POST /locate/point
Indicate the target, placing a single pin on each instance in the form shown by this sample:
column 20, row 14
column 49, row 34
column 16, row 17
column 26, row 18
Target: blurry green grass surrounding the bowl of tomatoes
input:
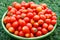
column 52, row 4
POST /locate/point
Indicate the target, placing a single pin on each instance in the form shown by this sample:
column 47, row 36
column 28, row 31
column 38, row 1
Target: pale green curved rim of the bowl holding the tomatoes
column 18, row 37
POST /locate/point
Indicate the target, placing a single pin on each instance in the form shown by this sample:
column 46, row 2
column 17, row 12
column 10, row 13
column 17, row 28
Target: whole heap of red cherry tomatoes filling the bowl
column 29, row 19
